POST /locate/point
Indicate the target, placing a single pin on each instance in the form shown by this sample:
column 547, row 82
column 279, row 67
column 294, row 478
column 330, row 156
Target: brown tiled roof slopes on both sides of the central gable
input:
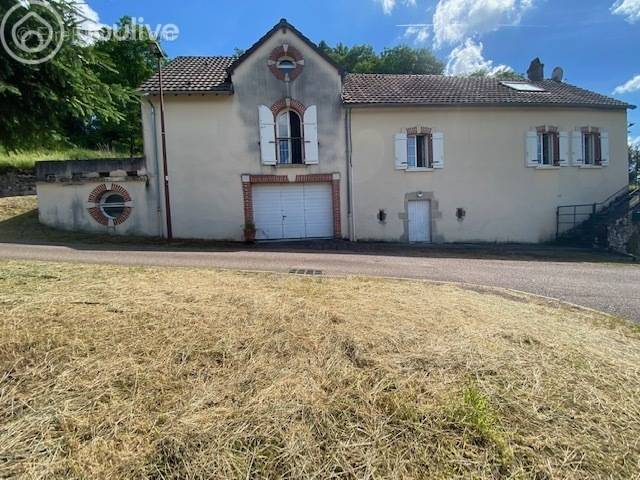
column 210, row 74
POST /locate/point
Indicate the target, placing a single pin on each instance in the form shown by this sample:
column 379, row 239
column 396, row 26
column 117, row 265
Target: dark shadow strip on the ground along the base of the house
column 24, row 228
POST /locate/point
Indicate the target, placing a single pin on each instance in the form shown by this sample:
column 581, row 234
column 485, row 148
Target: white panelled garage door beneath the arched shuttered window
column 293, row 211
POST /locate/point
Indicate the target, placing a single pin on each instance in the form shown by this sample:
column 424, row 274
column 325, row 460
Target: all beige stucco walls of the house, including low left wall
column 214, row 154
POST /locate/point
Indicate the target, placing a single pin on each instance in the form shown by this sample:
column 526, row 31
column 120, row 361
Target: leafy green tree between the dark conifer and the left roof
column 128, row 51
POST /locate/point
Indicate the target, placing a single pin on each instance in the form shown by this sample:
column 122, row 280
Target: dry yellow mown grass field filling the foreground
column 133, row 373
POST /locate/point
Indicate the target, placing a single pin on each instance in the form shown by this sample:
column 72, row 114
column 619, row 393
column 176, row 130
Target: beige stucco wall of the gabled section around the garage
column 213, row 140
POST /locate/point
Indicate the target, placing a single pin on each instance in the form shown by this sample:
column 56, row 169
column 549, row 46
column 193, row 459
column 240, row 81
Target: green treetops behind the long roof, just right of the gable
column 399, row 59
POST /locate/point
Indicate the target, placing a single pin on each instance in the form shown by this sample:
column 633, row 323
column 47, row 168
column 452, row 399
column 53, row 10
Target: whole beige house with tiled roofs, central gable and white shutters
column 282, row 139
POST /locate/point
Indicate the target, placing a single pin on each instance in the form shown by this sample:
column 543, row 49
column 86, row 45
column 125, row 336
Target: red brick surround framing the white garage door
column 248, row 181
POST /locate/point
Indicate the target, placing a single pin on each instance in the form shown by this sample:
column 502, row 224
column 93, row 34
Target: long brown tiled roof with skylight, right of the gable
column 378, row 89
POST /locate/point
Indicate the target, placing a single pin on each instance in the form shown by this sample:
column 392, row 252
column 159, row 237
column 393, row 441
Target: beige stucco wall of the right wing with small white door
column 484, row 172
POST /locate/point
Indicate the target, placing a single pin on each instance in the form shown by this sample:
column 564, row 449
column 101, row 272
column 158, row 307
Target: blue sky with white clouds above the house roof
column 596, row 42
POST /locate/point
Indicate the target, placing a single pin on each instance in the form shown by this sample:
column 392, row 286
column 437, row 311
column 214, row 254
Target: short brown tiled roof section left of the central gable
column 192, row 74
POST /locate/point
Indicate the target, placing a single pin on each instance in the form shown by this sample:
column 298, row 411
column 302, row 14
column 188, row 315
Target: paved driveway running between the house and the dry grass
column 567, row 275
